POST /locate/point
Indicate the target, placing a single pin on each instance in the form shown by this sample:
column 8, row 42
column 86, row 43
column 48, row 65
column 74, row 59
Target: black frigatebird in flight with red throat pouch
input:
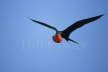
column 60, row 35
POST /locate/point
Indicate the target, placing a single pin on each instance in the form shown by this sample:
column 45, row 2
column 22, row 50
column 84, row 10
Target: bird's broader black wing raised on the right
column 78, row 24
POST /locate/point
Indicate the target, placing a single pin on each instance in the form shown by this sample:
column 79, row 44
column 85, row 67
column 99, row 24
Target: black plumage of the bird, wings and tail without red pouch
column 66, row 33
